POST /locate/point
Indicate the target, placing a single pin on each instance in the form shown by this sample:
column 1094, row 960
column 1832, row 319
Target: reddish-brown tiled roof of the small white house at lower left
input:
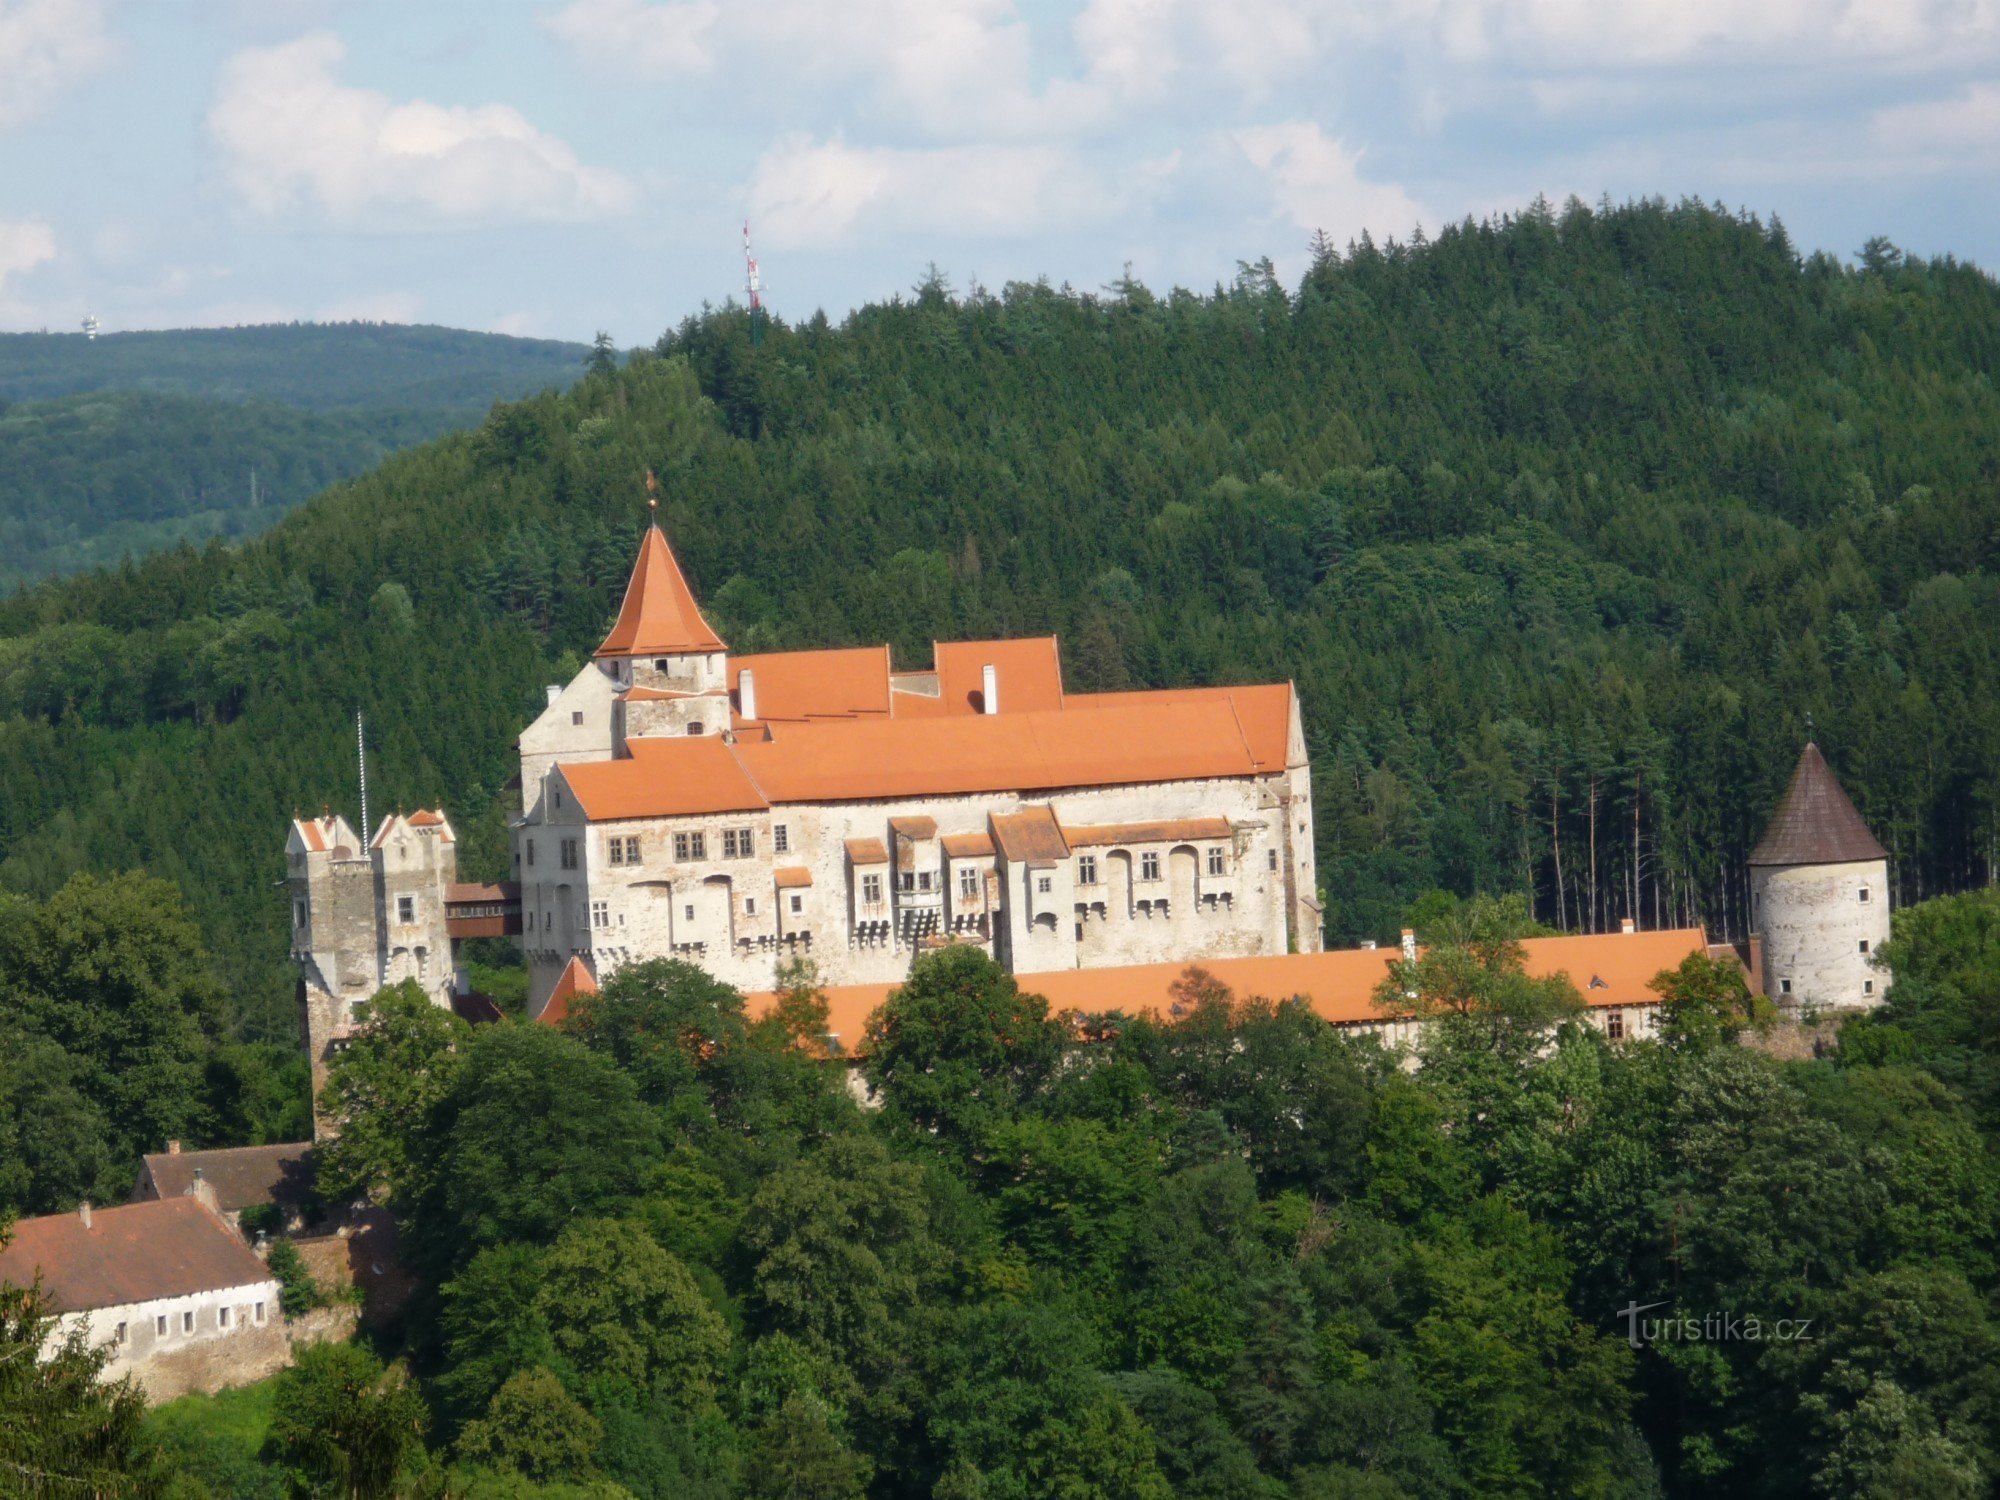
column 139, row 1253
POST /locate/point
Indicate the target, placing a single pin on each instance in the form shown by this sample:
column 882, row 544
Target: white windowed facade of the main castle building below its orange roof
column 729, row 915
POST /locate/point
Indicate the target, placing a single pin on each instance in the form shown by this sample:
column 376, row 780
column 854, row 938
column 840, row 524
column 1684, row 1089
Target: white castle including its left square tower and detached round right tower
column 747, row 813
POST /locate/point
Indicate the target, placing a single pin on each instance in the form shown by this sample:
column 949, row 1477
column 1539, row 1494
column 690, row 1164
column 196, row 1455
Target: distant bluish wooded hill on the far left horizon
column 133, row 443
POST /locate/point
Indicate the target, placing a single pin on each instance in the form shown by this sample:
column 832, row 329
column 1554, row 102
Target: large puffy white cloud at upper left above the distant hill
column 295, row 137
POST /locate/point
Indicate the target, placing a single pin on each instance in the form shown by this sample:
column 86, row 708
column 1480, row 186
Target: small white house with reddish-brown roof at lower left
column 165, row 1287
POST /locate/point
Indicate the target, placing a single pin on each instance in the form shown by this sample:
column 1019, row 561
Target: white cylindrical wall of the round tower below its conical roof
column 1815, row 923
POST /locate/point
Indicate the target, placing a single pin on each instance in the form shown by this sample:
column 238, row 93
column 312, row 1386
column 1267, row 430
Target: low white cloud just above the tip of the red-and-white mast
column 817, row 193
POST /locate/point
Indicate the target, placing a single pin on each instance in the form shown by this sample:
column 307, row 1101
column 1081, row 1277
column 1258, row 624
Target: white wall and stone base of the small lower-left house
column 205, row 1357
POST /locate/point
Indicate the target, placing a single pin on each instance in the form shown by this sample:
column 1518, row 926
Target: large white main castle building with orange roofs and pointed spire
column 749, row 811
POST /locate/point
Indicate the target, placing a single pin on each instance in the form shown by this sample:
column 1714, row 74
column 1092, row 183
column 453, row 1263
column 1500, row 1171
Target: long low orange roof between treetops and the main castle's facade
column 1339, row 987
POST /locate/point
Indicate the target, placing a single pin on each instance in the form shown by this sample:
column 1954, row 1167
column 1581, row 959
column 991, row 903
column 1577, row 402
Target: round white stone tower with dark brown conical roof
column 1819, row 895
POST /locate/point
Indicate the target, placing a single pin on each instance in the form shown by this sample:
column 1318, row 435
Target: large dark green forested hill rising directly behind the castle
column 1565, row 527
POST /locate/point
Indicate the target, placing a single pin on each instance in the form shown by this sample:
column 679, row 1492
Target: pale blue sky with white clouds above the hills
column 567, row 167
